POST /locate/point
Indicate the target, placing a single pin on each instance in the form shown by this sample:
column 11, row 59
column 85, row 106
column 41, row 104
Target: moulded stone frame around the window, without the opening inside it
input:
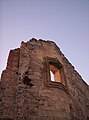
column 48, row 81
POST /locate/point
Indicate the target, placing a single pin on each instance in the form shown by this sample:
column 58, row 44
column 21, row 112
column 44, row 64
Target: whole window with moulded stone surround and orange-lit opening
column 54, row 74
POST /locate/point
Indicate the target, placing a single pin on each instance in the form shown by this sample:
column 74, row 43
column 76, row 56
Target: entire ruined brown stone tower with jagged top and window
column 39, row 83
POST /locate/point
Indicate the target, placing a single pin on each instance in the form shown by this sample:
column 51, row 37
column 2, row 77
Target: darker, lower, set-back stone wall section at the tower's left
column 8, row 85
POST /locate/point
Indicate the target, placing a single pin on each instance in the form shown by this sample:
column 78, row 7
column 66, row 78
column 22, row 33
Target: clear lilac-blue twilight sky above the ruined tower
column 66, row 22
